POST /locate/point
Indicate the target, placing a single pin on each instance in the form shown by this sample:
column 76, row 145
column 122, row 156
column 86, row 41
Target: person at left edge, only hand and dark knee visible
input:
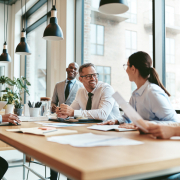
column 12, row 118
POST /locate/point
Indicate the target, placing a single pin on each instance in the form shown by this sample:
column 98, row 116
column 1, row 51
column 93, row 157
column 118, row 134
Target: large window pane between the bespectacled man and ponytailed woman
column 116, row 39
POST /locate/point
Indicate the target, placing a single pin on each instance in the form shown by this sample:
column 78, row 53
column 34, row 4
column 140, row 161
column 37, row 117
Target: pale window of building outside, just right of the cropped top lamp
column 132, row 11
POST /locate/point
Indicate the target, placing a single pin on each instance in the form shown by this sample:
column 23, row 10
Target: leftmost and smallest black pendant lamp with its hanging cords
column 5, row 57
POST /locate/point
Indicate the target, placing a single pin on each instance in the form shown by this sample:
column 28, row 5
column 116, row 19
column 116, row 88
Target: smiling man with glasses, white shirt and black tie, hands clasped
column 94, row 100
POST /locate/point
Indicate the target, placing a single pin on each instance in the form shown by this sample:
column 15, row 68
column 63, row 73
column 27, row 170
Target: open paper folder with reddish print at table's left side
column 41, row 132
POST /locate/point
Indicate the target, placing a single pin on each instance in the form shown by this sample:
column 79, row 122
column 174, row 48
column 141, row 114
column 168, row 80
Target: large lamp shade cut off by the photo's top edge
column 113, row 6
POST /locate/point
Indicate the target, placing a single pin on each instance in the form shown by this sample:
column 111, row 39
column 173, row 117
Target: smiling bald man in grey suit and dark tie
column 65, row 91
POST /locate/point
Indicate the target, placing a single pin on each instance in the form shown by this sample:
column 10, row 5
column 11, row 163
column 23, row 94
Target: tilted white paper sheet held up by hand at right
column 130, row 112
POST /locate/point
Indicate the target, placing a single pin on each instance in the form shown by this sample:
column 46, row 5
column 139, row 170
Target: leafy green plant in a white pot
column 13, row 92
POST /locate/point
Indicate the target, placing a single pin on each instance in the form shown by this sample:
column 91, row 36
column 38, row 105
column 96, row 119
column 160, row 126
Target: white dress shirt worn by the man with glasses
column 103, row 107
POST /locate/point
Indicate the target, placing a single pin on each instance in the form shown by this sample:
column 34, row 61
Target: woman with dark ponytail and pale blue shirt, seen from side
column 150, row 99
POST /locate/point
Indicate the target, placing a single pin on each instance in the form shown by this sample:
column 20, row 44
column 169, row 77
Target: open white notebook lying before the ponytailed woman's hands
column 108, row 128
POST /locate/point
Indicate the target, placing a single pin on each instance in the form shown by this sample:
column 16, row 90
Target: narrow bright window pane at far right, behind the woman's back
column 172, row 51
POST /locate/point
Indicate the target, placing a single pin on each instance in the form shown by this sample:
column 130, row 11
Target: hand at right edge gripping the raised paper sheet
column 161, row 131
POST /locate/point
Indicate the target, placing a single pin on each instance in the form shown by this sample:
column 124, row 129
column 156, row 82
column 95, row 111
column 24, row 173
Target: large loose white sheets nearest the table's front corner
column 91, row 140
